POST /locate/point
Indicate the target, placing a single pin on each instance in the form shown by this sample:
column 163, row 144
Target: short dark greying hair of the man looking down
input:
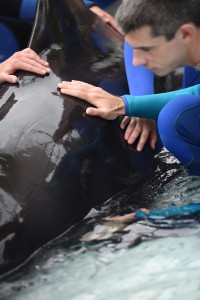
column 163, row 16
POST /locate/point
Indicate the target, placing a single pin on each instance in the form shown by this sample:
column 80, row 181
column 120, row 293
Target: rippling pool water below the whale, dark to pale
column 153, row 257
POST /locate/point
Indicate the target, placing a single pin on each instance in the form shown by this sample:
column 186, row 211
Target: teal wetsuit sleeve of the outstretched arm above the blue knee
column 149, row 106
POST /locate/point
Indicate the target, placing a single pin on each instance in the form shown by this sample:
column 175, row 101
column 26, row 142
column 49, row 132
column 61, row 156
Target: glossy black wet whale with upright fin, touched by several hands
column 55, row 162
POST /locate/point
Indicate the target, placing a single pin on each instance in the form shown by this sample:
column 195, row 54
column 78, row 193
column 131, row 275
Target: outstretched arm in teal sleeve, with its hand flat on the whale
column 110, row 107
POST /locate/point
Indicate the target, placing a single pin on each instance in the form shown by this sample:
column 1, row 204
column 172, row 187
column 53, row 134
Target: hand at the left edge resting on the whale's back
column 26, row 60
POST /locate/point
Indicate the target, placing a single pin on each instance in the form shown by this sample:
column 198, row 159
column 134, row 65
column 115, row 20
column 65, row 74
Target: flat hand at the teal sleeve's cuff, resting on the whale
column 107, row 105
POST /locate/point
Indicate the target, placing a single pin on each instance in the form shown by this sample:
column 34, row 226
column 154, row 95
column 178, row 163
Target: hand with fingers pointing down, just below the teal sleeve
column 143, row 128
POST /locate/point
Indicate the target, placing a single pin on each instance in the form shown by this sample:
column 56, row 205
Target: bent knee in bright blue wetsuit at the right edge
column 179, row 129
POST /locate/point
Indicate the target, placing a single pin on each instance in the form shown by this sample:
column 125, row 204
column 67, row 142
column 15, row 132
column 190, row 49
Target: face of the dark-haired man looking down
column 156, row 53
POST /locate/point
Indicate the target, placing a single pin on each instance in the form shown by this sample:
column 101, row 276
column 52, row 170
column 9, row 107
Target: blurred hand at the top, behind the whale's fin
column 106, row 17
